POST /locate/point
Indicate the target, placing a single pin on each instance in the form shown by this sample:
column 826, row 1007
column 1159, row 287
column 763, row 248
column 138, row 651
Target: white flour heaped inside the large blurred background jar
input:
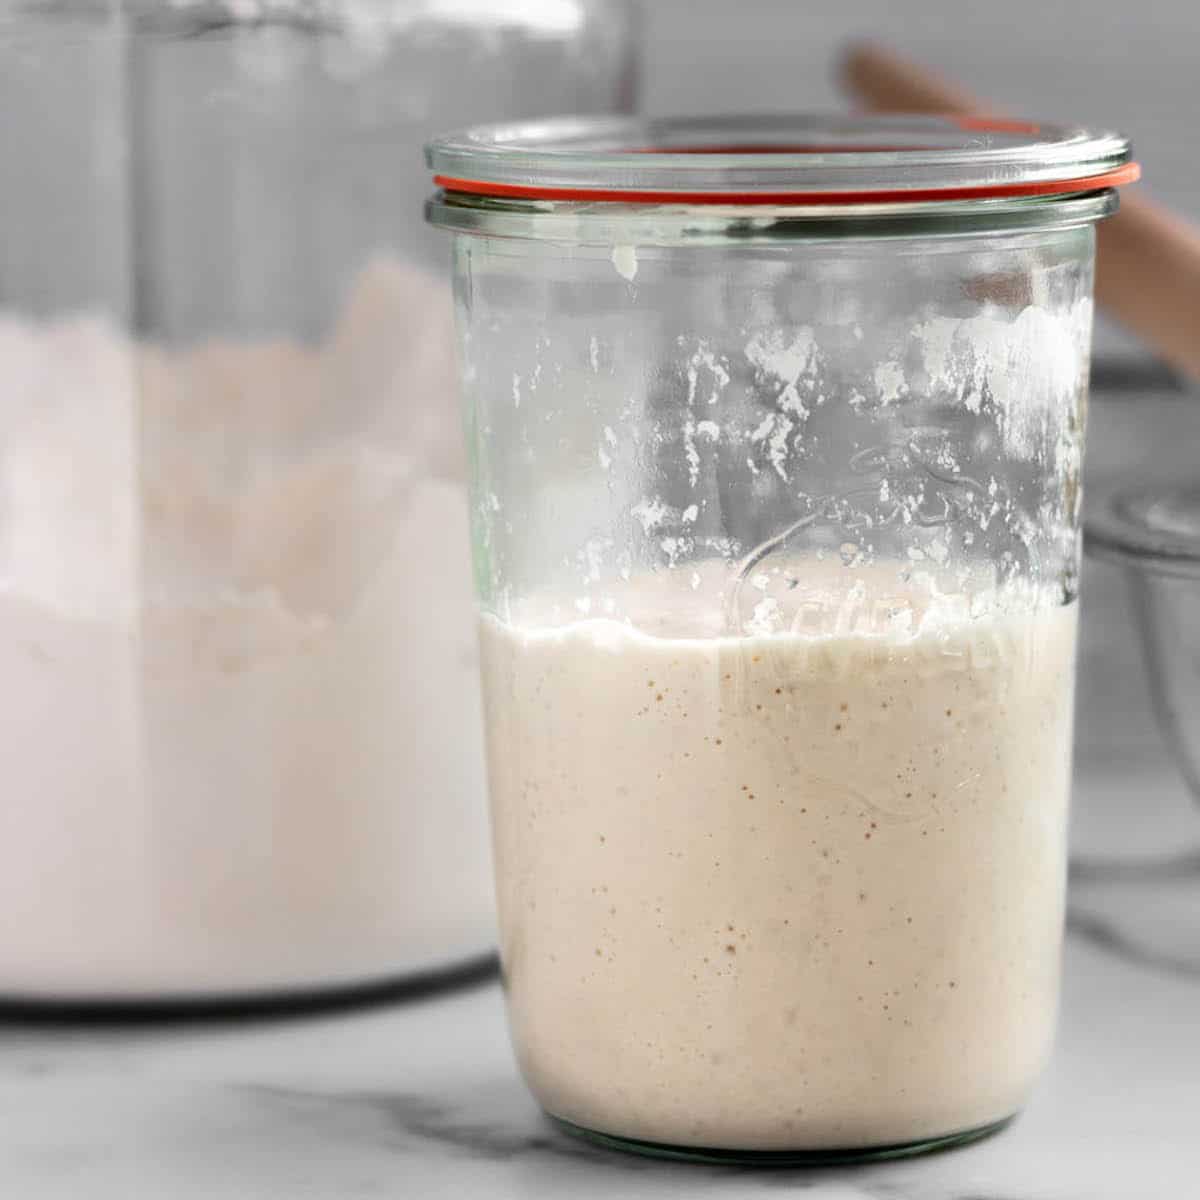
column 242, row 731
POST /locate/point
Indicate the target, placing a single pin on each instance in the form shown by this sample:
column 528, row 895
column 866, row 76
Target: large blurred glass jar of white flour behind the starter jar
column 243, row 740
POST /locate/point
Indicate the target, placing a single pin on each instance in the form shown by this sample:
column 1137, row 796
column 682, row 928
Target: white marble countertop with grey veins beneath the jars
column 421, row 1099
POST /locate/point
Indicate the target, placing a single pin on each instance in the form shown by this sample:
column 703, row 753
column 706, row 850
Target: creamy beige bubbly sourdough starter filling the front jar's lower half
column 781, row 891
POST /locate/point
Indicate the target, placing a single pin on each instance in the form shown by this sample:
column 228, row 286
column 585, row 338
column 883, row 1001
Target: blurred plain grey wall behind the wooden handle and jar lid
column 1133, row 67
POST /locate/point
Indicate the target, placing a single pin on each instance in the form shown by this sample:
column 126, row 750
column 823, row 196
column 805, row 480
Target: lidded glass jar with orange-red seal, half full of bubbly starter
column 775, row 433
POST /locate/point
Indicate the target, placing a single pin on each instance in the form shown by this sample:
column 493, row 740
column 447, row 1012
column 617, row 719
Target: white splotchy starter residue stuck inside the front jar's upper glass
column 776, row 400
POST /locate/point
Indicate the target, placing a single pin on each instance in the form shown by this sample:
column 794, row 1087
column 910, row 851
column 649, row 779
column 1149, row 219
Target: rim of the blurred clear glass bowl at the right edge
column 1154, row 529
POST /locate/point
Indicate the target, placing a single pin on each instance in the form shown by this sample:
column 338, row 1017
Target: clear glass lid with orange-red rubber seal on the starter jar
column 779, row 160
